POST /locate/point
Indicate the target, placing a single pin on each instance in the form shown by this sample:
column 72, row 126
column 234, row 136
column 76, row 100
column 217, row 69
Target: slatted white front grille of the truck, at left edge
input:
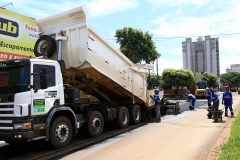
column 6, row 115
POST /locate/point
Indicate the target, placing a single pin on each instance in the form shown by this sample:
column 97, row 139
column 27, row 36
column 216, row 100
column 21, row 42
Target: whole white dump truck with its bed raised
column 39, row 97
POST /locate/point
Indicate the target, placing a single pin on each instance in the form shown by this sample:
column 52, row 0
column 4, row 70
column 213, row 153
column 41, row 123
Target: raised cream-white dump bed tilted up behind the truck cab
column 92, row 63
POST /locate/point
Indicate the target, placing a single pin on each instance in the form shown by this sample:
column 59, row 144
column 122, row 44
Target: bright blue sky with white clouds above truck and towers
column 169, row 21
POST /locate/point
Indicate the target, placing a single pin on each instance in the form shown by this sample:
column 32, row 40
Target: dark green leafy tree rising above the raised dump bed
column 136, row 45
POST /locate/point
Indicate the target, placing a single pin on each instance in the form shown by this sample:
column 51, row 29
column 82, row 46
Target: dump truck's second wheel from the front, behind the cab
column 95, row 123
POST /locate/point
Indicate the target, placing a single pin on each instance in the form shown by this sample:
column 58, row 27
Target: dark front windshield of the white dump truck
column 14, row 79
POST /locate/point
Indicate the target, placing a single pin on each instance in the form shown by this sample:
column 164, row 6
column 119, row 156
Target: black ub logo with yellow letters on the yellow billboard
column 8, row 27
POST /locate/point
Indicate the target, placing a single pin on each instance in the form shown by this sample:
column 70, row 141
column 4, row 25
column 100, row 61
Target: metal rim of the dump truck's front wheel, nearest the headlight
column 62, row 132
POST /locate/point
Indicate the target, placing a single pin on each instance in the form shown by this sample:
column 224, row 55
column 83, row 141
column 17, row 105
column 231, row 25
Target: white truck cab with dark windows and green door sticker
column 31, row 91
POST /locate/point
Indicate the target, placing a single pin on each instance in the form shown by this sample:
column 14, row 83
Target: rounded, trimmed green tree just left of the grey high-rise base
column 177, row 77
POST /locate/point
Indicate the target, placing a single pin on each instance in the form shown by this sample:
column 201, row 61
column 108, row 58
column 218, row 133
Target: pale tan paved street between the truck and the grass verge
column 187, row 136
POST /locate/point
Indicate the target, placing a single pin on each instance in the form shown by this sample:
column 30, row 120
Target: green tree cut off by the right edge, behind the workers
column 231, row 77
